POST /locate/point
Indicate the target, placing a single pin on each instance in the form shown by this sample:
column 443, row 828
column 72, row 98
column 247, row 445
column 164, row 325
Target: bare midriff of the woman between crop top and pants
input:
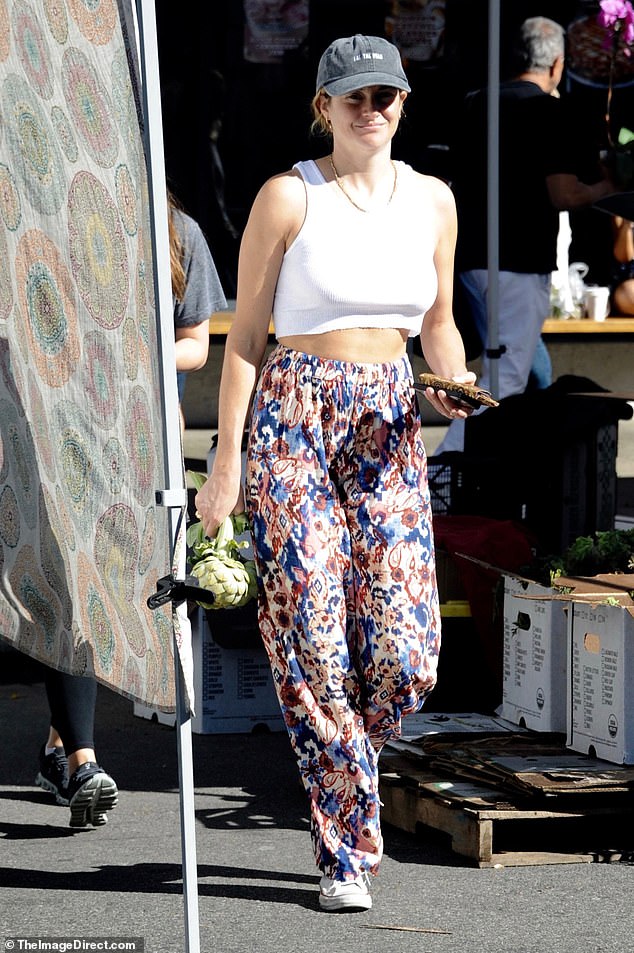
column 357, row 345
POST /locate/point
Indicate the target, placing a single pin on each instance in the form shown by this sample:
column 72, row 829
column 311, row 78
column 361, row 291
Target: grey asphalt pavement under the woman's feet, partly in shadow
column 257, row 883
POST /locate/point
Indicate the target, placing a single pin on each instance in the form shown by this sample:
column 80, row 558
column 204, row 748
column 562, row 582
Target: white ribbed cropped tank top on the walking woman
column 350, row 269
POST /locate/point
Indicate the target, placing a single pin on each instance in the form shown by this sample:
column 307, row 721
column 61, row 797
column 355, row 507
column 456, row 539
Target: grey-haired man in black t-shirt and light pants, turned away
column 536, row 181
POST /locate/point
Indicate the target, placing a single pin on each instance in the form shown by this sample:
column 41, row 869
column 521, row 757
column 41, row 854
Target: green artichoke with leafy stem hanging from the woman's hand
column 218, row 564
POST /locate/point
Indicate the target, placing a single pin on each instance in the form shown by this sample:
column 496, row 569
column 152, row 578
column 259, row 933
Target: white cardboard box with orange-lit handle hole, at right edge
column 601, row 710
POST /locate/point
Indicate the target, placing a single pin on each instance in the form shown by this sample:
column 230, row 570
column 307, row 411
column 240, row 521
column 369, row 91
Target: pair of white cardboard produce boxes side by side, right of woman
column 569, row 661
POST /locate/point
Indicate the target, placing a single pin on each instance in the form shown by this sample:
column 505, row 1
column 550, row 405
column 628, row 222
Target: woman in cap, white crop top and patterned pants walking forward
column 351, row 254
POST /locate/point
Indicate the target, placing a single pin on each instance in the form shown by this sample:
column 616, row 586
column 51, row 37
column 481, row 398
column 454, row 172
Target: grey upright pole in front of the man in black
column 493, row 195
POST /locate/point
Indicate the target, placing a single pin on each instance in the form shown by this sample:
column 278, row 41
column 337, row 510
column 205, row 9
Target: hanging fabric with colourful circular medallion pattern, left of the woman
column 82, row 542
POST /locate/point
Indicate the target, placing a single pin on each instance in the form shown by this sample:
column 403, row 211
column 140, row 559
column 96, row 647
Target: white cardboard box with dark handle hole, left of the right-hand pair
column 535, row 656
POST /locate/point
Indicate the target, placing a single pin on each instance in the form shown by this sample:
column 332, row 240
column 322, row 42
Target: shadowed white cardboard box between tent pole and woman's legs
column 233, row 688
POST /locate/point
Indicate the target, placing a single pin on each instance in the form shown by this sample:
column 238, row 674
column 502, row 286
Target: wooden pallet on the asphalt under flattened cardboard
column 489, row 830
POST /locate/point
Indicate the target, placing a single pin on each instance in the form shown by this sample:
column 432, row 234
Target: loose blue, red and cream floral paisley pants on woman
column 349, row 615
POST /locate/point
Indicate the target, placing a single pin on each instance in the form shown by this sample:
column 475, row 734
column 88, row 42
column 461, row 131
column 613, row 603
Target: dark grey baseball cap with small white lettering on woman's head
column 355, row 61
